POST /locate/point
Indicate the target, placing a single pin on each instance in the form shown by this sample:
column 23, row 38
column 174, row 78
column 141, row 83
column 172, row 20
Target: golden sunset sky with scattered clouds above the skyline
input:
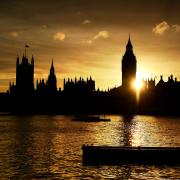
column 88, row 38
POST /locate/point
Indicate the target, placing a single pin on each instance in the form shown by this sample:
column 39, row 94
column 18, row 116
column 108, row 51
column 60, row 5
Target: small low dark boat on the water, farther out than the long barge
column 90, row 119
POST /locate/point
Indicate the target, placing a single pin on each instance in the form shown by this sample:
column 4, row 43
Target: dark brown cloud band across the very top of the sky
column 74, row 11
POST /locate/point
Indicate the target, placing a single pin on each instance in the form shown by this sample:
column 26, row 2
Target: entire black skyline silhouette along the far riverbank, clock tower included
column 80, row 95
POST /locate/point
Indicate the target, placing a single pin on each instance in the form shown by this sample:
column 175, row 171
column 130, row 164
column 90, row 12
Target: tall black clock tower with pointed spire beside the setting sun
column 128, row 66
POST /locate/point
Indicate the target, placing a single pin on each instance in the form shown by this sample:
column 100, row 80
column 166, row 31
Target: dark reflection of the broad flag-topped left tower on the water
column 21, row 143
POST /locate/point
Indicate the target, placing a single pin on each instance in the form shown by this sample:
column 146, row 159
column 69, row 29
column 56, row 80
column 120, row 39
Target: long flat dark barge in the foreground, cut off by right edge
column 130, row 155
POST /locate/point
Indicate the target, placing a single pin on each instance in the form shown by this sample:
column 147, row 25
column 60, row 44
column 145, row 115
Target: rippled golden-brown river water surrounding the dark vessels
column 49, row 147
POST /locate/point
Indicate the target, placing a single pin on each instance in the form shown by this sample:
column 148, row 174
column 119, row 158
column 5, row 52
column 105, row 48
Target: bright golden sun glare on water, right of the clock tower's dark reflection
column 153, row 131
